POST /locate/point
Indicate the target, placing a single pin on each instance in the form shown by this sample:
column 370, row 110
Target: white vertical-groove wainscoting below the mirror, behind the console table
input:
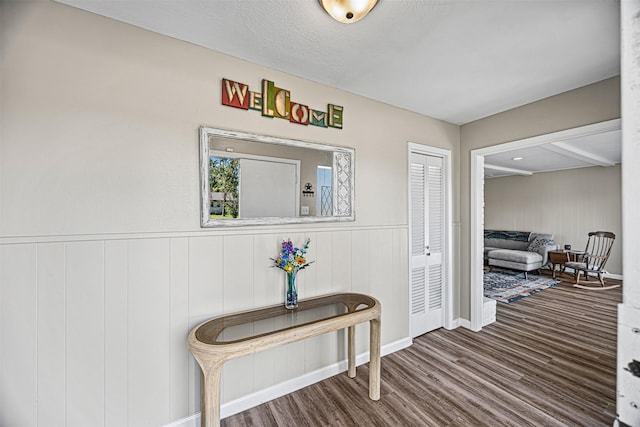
column 94, row 329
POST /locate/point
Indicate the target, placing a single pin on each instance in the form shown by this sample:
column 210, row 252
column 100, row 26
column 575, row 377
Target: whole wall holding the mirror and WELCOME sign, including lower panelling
column 103, row 265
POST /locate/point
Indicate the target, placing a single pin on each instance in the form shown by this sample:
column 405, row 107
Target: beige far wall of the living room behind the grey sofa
column 568, row 204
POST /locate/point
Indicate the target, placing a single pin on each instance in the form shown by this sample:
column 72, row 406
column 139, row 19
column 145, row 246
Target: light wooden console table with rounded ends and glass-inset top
column 225, row 337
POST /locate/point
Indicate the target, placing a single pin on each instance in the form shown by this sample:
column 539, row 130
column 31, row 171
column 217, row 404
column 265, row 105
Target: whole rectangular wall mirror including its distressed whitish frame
column 249, row 179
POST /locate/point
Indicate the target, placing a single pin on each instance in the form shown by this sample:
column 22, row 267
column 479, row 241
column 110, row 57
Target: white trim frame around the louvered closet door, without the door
column 447, row 253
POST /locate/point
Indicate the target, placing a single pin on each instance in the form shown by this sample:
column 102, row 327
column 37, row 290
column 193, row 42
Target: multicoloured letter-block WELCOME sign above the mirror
column 273, row 101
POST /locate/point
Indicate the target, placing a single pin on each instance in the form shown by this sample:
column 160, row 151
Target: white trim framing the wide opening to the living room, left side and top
column 476, row 189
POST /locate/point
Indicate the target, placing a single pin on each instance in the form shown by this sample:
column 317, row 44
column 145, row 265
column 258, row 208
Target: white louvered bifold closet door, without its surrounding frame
column 426, row 223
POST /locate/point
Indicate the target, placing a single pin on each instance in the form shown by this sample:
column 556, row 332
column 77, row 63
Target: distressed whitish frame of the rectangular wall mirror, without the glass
column 343, row 178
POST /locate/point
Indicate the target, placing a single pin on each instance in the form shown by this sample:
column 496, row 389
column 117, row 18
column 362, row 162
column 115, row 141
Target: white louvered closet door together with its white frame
column 430, row 251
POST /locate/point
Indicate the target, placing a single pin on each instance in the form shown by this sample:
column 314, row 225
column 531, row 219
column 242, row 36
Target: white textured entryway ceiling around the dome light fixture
column 455, row 60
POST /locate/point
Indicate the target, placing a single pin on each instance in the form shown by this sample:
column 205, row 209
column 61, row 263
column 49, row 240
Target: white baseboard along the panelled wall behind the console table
column 254, row 399
